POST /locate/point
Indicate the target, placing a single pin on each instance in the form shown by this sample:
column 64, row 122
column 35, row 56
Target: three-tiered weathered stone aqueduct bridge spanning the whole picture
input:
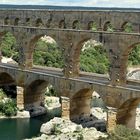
column 115, row 90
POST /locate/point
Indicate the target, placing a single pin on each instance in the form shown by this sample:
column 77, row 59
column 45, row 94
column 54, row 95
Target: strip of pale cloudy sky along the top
column 91, row 3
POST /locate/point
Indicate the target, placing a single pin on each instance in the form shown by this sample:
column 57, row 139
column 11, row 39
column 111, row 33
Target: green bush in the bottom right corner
column 123, row 133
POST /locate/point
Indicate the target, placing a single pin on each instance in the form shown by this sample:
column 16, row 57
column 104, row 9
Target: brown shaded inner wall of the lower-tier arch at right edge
column 126, row 113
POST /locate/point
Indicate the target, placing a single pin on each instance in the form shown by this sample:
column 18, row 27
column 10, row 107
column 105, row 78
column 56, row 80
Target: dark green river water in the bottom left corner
column 19, row 129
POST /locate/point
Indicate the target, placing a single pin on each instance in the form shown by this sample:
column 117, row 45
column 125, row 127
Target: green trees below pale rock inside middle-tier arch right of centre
column 94, row 60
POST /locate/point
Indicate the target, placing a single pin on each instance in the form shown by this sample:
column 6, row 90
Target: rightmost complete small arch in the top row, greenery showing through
column 127, row 27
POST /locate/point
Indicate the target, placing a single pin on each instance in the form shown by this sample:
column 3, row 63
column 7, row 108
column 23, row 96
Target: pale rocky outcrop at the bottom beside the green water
column 62, row 129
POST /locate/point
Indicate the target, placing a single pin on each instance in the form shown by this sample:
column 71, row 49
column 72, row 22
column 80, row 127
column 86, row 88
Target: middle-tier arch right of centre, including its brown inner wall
column 83, row 46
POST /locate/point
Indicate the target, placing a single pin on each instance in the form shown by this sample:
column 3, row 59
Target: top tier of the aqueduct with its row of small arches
column 81, row 20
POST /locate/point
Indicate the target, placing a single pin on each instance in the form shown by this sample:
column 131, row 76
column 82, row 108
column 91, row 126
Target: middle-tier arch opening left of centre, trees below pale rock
column 47, row 53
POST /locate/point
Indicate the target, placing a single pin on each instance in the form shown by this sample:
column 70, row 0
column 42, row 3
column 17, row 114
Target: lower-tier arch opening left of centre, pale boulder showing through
column 41, row 98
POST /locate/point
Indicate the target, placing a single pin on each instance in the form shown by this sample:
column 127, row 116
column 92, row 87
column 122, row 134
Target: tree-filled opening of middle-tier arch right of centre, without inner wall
column 93, row 57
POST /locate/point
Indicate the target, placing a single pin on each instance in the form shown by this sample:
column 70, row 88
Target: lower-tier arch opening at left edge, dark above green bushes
column 8, row 95
